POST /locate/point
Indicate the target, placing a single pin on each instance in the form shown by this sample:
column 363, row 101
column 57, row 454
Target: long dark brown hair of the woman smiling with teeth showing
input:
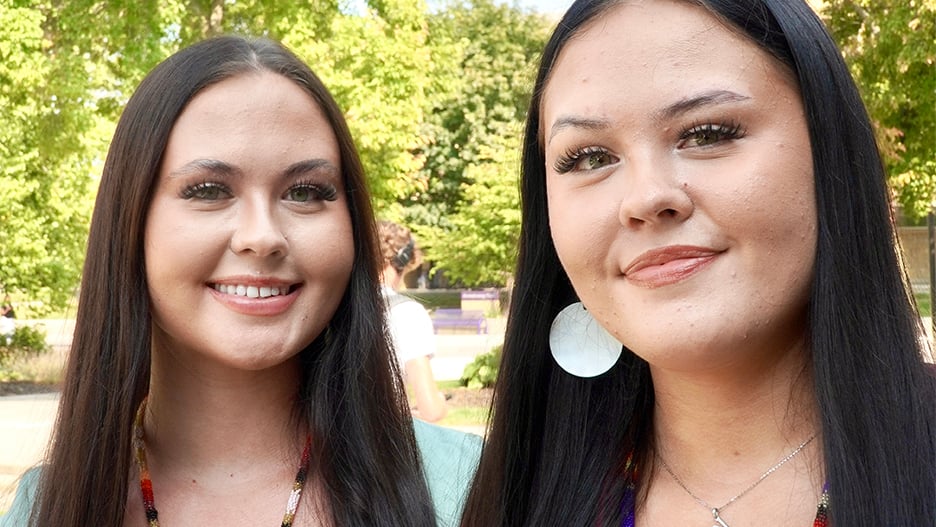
column 351, row 396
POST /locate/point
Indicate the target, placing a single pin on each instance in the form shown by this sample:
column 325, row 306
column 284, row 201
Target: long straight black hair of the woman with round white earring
column 557, row 444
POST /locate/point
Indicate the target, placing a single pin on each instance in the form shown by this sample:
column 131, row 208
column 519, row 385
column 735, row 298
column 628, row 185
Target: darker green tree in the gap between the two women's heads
column 466, row 211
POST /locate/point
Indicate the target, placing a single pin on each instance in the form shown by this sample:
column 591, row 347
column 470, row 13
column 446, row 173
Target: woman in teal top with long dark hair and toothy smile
column 230, row 364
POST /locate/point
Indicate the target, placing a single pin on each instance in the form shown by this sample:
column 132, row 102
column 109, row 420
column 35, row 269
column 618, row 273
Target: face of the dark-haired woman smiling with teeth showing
column 248, row 239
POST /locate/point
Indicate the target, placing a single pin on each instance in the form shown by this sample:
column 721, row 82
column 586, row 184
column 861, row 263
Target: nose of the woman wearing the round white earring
column 652, row 195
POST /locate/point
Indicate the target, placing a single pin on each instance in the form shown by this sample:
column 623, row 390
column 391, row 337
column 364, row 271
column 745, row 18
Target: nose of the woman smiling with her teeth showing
column 258, row 232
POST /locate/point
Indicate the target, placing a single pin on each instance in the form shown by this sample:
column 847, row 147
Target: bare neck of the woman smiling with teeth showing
column 200, row 419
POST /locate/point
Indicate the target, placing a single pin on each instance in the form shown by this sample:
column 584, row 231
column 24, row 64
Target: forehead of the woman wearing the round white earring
column 640, row 52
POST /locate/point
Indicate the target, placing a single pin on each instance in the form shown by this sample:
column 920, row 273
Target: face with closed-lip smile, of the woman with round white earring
column 680, row 186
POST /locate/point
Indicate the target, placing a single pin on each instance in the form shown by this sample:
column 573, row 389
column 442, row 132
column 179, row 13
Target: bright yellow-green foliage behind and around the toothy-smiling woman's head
column 69, row 67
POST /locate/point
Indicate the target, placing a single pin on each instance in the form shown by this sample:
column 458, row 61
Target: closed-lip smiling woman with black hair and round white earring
column 710, row 323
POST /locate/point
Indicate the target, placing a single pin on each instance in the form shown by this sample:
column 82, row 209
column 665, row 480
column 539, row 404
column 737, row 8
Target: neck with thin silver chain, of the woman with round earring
column 721, row 427
